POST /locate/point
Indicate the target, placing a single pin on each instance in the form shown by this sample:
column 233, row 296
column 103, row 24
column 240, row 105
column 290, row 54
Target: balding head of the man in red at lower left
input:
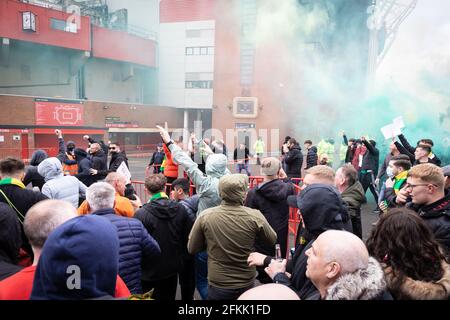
column 44, row 217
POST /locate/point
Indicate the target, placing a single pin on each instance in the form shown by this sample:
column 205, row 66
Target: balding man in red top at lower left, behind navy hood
column 39, row 222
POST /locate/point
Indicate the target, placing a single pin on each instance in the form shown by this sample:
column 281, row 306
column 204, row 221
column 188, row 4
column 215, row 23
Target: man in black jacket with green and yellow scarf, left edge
column 14, row 193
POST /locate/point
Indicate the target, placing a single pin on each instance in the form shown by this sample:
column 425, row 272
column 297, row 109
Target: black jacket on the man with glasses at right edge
column 437, row 216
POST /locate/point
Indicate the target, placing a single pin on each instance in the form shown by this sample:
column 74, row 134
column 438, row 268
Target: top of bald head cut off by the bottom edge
column 271, row 291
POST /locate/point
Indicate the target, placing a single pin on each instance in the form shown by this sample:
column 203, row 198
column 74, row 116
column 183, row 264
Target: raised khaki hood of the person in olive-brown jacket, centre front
column 233, row 188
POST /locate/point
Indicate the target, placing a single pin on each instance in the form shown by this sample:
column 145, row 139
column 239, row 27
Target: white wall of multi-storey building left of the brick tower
column 174, row 63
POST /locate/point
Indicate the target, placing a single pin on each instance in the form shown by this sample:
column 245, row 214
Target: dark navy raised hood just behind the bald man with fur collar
column 322, row 208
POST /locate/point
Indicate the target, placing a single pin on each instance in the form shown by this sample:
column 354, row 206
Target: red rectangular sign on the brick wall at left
column 53, row 112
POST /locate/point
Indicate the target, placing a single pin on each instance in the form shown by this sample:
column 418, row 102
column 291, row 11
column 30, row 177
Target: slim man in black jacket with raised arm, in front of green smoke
column 369, row 167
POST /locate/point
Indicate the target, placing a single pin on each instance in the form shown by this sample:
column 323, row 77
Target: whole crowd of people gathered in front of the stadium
column 72, row 226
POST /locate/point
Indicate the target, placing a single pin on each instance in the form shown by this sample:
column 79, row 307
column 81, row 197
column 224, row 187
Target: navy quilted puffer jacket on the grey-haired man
column 136, row 245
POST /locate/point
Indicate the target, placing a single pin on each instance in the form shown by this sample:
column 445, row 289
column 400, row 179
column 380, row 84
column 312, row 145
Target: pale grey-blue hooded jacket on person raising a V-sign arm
column 206, row 186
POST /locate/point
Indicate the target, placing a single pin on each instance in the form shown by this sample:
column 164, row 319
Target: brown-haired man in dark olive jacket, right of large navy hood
column 352, row 193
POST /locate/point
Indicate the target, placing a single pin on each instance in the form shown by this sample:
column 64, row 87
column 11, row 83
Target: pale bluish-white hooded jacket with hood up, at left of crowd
column 58, row 186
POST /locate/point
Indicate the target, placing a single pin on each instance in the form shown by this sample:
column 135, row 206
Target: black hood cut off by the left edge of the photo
column 10, row 234
